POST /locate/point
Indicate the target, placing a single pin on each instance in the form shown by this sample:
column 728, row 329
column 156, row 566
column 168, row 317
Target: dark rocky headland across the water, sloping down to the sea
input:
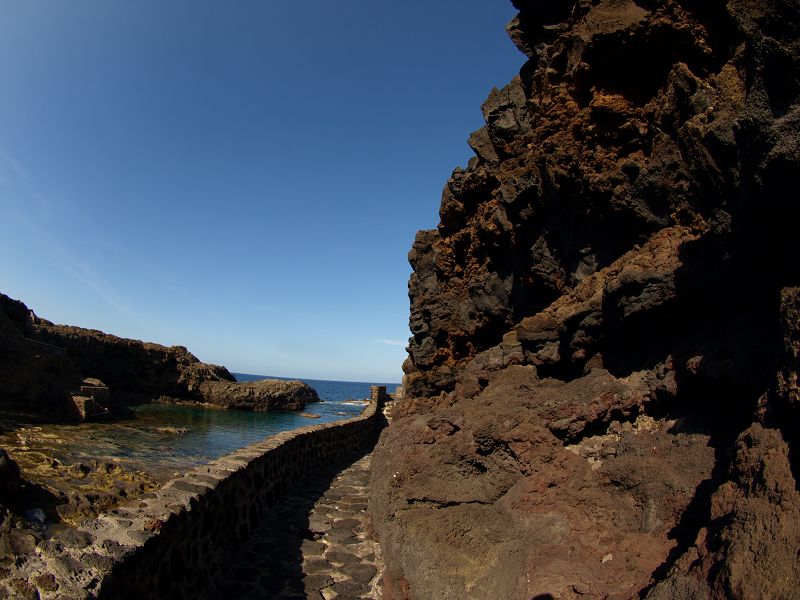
column 43, row 363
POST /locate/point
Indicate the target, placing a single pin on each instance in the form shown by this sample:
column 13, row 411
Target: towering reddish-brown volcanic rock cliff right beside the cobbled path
column 601, row 390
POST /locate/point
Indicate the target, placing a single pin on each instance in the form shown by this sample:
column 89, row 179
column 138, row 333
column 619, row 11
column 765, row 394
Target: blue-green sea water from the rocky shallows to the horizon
column 166, row 439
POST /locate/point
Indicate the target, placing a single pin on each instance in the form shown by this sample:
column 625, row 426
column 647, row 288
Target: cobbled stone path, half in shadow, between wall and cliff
column 314, row 545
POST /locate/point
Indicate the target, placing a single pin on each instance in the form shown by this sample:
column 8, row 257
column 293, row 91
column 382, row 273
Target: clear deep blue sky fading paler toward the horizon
column 244, row 178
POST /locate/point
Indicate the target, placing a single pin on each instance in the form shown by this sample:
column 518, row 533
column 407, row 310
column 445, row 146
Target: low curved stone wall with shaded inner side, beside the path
column 177, row 542
